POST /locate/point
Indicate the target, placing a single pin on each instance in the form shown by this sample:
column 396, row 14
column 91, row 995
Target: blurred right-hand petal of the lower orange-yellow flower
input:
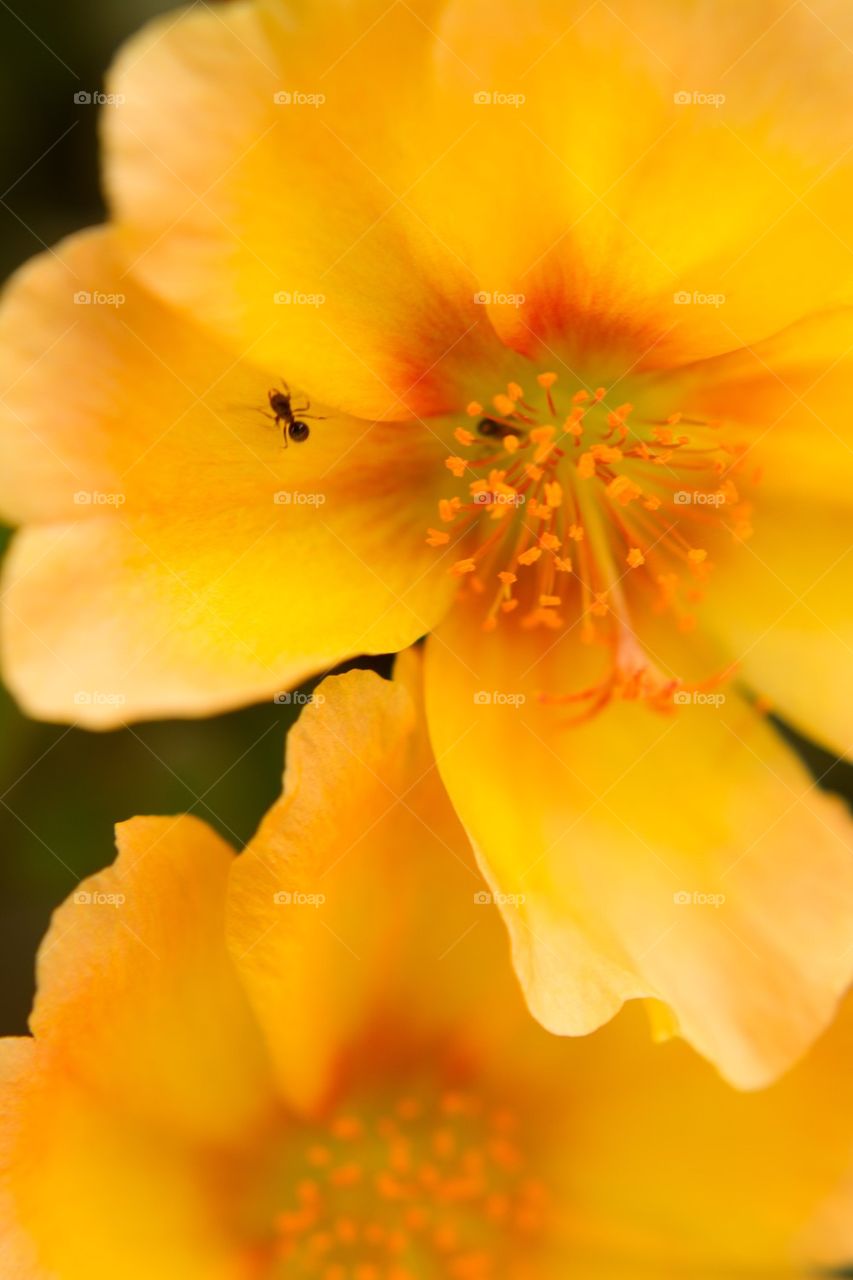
column 772, row 1163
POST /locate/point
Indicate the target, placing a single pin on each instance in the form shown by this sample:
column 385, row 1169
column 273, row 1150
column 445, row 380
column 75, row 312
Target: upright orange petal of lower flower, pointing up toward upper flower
column 357, row 890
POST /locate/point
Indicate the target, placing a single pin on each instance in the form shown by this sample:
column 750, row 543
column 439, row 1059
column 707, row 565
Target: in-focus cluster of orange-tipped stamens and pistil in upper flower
column 577, row 513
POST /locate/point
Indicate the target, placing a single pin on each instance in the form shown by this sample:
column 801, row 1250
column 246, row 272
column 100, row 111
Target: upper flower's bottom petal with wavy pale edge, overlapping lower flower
column 688, row 858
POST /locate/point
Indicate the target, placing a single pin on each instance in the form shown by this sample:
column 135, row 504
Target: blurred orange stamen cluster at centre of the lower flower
column 434, row 1186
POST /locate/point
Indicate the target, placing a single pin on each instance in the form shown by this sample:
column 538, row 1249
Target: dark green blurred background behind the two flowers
column 62, row 789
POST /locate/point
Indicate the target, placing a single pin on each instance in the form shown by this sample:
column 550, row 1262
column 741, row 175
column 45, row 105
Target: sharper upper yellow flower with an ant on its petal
column 569, row 290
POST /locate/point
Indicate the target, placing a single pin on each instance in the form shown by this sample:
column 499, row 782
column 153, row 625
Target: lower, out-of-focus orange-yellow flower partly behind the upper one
column 312, row 1062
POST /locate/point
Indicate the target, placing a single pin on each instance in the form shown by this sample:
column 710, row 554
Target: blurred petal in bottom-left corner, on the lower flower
column 89, row 1191
